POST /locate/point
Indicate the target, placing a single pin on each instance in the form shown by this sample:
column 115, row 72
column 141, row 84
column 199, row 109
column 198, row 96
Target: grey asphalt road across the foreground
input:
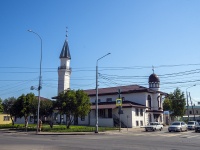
column 126, row 140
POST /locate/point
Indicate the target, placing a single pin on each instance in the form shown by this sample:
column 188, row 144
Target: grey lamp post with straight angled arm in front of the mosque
column 96, row 131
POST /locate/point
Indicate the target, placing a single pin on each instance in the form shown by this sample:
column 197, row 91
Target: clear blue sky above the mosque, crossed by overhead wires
column 139, row 34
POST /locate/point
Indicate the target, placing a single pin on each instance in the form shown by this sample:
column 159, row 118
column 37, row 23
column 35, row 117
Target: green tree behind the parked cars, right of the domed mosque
column 177, row 103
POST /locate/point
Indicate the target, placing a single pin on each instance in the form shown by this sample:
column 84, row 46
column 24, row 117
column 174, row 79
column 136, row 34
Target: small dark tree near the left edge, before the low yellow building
column 8, row 107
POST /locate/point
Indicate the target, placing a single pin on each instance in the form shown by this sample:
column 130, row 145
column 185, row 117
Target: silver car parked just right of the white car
column 178, row 126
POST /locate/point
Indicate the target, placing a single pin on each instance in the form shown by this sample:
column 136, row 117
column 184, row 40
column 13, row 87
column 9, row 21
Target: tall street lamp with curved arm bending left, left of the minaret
column 39, row 86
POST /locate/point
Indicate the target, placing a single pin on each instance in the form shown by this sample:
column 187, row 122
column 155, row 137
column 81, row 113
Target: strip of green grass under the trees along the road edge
column 56, row 128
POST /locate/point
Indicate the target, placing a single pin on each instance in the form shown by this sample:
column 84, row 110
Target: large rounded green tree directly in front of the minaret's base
column 73, row 104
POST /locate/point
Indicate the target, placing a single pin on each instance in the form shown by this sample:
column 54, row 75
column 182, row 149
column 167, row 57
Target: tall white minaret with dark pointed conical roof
column 64, row 70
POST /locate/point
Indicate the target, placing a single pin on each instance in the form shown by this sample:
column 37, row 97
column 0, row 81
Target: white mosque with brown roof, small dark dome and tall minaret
column 139, row 106
